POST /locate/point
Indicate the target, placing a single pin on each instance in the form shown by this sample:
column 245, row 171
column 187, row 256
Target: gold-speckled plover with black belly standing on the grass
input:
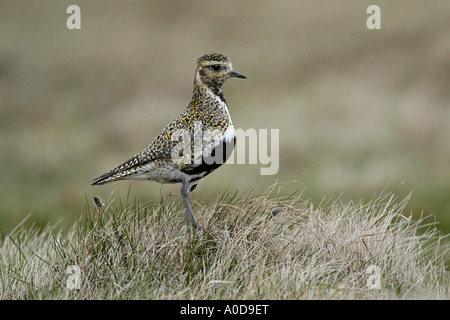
column 206, row 132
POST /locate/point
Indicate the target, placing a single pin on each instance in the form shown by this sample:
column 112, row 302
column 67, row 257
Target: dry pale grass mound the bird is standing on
column 263, row 246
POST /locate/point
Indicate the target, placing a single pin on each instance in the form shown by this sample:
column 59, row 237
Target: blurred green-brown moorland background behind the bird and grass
column 357, row 109
